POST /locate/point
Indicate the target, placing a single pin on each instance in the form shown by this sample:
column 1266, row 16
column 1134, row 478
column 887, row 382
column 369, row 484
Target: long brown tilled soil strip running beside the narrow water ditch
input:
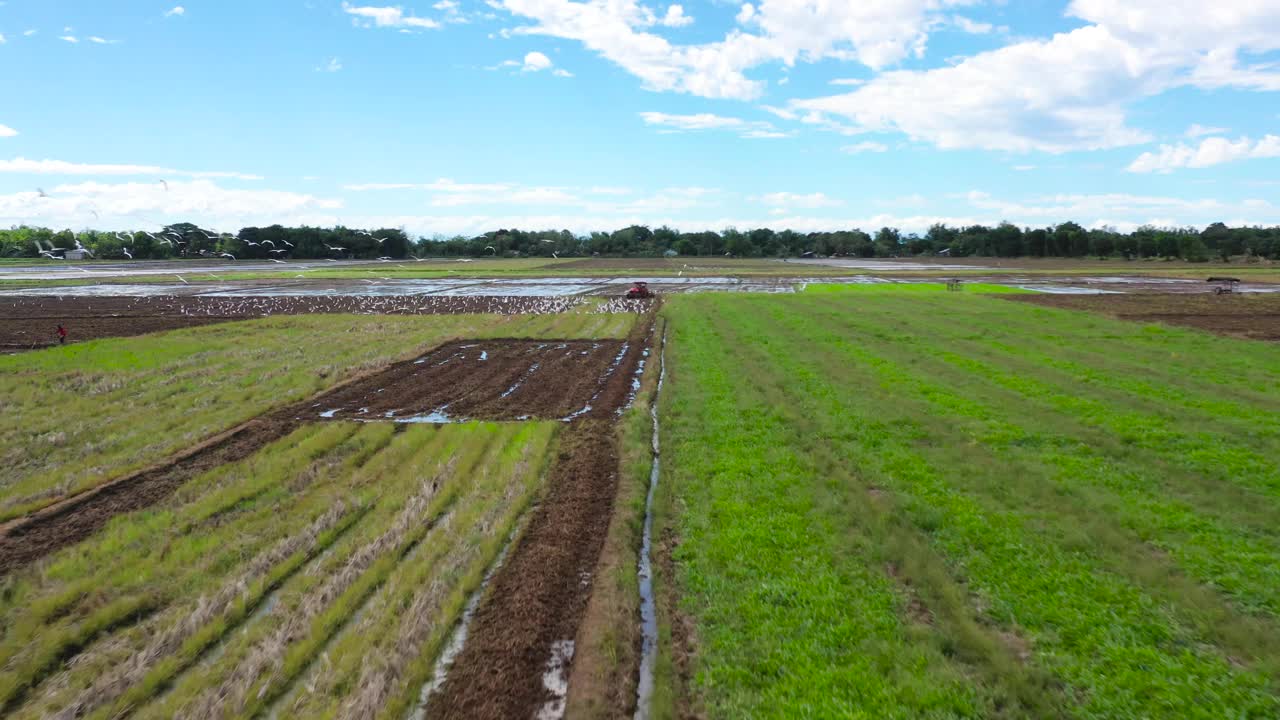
column 542, row 594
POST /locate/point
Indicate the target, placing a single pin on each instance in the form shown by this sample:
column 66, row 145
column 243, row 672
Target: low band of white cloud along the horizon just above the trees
column 132, row 206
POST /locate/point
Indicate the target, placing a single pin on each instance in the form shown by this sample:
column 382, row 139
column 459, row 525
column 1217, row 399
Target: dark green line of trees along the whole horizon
column 1007, row 240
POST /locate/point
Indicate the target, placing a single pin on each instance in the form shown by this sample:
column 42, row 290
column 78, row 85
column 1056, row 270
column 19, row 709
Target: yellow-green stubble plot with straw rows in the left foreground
column 241, row 580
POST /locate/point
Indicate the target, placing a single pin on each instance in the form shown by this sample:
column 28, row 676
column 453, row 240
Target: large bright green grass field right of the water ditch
column 945, row 505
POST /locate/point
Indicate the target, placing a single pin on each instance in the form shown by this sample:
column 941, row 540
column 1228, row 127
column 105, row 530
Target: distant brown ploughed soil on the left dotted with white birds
column 30, row 323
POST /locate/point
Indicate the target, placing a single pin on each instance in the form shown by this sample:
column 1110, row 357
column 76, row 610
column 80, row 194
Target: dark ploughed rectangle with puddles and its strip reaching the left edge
column 470, row 386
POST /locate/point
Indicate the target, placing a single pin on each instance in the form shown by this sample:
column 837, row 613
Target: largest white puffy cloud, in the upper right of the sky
column 1071, row 92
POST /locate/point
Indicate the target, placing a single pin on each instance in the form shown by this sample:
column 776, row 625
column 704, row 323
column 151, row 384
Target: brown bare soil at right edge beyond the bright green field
column 1249, row 316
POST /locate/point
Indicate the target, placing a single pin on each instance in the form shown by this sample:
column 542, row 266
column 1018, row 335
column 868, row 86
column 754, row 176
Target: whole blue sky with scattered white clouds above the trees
column 464, row 116
